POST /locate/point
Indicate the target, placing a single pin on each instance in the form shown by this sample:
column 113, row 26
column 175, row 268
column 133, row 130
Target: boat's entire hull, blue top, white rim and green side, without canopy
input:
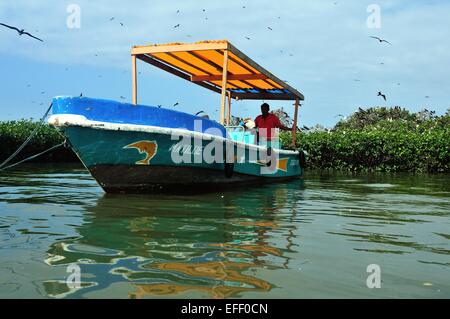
column 142, row 155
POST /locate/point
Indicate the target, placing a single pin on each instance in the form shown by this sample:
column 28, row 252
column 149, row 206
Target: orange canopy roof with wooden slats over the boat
column 203, row 63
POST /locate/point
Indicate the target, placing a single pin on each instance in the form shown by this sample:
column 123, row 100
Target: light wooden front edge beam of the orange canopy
column 179, row 47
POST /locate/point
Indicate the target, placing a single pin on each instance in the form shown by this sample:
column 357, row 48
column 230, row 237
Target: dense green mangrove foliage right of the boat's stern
column 381, row 140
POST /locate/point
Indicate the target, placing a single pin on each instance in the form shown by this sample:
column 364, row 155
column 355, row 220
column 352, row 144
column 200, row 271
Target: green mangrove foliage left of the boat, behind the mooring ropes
column 14, row 133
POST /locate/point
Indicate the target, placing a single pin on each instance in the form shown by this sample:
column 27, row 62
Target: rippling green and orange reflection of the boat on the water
column 213, row 246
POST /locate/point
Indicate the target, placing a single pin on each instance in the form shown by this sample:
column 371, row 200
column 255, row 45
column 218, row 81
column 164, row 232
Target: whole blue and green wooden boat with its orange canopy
column 137, row 148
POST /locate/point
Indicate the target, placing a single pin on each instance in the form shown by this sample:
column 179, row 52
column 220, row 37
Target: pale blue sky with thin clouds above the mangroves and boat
column 326, row 47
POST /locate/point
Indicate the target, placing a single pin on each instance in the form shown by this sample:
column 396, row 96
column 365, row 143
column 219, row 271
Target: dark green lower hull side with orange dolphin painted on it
column 137, row 161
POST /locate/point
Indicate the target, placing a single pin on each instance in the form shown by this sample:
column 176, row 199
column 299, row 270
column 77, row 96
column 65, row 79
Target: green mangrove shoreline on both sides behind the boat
column 375, row 140
